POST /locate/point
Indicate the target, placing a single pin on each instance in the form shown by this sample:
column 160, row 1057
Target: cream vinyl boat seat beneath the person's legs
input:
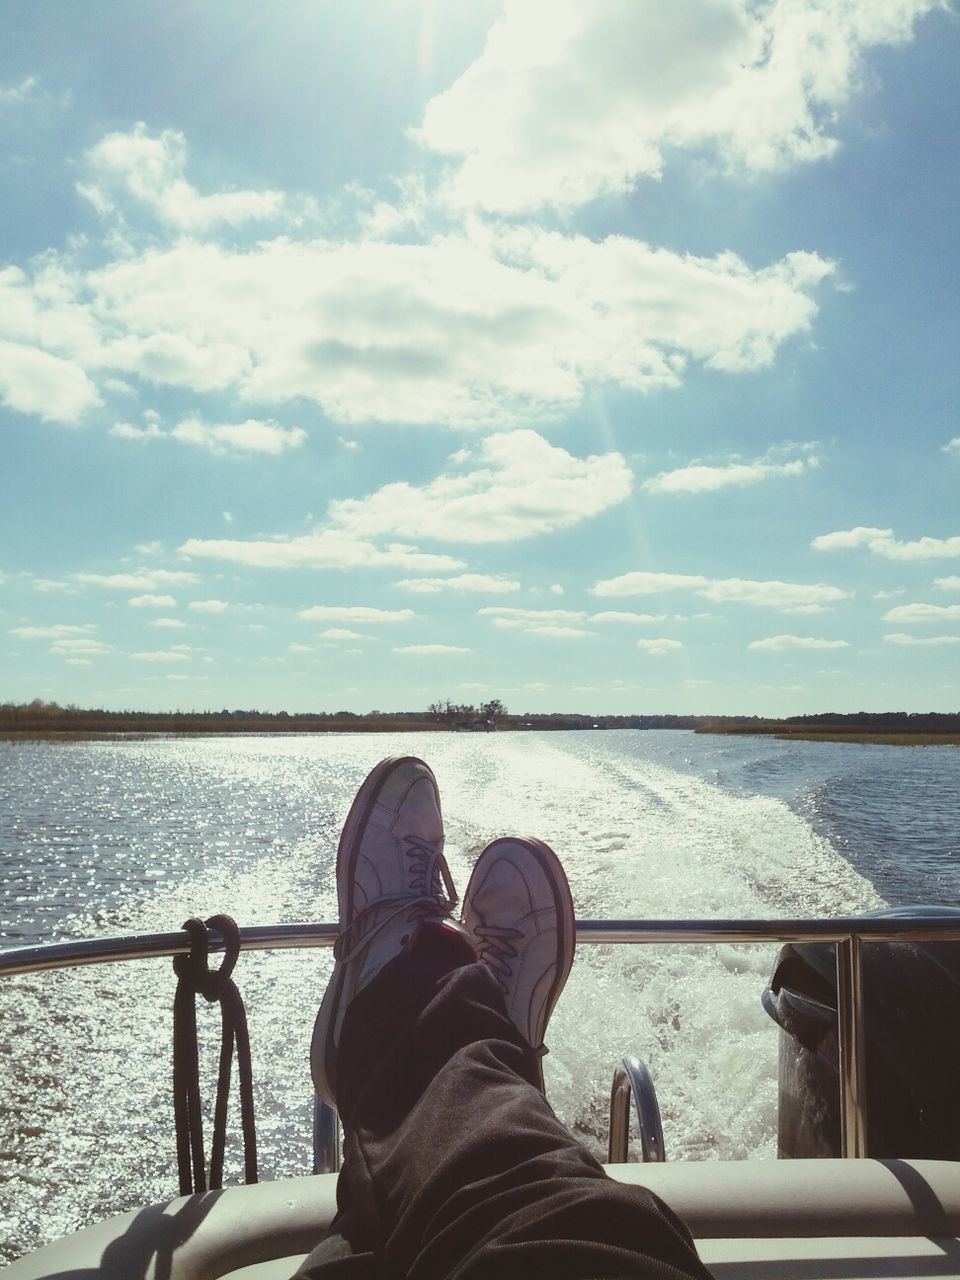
column 753, row 1220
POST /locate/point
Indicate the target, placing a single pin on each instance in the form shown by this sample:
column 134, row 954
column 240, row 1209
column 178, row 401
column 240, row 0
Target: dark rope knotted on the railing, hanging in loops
column 218, row 988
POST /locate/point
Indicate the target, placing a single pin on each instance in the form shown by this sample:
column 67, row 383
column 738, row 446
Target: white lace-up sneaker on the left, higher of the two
column 391, row 879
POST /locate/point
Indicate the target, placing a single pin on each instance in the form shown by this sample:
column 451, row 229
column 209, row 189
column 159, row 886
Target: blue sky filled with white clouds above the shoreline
column 592, row 355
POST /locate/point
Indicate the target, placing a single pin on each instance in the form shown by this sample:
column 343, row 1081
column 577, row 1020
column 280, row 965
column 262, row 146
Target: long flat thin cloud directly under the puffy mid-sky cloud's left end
column 330, row 548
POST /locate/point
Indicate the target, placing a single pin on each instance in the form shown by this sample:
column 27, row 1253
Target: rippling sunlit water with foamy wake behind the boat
column 112, row 838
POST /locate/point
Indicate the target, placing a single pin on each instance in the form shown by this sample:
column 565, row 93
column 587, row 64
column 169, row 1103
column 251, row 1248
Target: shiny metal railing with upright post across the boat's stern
column 849, row 935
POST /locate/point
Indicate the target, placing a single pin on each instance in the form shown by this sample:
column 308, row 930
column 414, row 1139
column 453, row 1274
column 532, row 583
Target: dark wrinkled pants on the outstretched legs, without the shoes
column 455, row 1164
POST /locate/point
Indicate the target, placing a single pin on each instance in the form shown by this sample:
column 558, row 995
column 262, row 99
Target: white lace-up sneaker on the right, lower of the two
column 519, row 916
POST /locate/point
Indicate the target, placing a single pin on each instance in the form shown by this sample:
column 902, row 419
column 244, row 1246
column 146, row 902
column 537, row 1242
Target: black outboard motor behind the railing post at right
column 912, row 1031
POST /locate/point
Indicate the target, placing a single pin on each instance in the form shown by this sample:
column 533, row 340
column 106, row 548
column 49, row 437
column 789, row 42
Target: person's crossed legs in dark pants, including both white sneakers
column 455, row 1164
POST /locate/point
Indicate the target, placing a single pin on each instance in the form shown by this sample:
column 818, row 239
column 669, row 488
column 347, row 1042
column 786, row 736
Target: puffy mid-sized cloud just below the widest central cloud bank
column 516, row 486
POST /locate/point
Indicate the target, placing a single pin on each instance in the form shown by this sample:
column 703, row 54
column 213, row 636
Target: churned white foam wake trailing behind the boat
column 642, row 840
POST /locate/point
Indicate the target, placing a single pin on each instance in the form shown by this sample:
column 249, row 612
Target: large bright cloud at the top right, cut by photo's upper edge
column 577, row 99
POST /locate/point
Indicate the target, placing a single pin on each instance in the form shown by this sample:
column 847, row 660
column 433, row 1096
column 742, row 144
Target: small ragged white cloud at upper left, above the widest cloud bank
column 150, row 171
